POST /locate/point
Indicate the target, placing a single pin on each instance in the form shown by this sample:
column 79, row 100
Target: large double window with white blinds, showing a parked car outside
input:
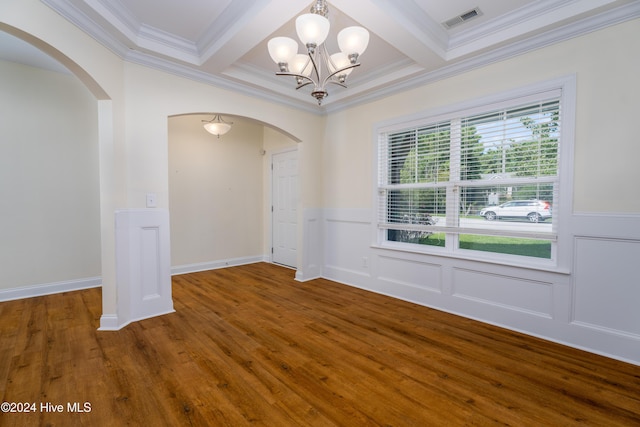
column 483, row 180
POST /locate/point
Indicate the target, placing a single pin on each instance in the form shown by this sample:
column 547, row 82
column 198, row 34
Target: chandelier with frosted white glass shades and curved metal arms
column 313, row 29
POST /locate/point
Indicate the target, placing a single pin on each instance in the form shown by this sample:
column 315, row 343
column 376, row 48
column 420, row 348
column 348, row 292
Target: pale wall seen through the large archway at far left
column 49, row 181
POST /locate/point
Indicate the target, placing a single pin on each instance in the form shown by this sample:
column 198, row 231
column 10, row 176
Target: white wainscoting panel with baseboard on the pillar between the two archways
column 143, row 267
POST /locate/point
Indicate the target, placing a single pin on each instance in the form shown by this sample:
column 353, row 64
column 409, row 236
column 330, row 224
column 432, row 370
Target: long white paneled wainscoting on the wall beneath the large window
column 596, row 307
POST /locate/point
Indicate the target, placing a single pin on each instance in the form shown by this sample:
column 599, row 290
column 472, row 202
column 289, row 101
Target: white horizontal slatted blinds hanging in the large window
column 438, row 176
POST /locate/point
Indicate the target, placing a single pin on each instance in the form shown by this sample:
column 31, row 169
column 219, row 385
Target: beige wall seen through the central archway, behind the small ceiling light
column 215, row 191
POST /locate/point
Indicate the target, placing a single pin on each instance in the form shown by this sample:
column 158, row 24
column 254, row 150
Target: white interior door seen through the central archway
column 285, row 191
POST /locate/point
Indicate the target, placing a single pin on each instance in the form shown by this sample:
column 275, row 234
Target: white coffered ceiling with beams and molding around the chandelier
column 224, row 42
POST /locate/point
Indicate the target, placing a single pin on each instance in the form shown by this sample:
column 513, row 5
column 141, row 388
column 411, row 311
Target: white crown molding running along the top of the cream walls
column 590, row 24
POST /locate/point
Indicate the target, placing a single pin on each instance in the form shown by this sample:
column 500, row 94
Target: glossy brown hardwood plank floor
column 250, row 346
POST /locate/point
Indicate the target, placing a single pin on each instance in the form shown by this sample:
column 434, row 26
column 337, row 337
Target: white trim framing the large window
column 562, row 249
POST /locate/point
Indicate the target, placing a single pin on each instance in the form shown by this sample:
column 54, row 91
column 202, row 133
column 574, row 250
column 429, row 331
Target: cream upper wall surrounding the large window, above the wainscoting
column 608, row 102
